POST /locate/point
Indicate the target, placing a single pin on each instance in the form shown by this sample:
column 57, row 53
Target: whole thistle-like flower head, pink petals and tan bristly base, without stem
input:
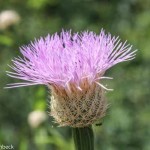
column 72, row 66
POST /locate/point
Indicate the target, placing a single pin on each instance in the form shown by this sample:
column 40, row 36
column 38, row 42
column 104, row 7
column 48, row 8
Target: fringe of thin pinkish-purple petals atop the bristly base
column 68, row 58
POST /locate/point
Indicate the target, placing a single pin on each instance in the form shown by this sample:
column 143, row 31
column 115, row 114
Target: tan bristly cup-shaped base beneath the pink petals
column 78, row 108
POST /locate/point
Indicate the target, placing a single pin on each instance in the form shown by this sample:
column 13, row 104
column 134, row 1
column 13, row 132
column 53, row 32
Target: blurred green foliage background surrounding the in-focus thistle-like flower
column 127, row 123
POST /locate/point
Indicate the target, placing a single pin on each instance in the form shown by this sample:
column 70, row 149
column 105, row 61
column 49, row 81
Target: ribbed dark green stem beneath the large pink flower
column 83, row 138
